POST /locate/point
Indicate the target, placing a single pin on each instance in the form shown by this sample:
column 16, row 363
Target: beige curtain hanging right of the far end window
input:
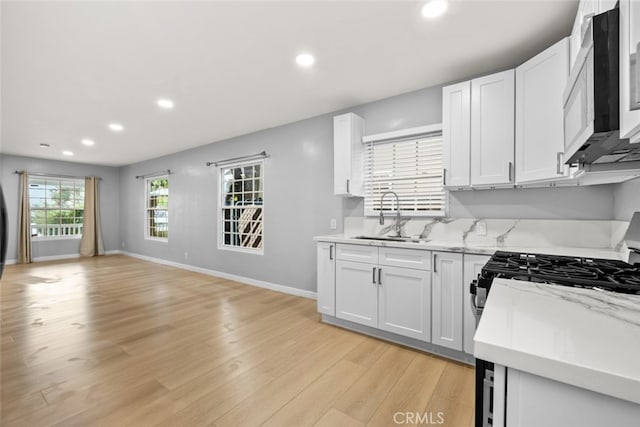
column 91, row 243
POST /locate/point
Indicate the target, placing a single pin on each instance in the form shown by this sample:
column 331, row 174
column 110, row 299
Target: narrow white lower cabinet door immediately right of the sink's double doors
column 447, row 303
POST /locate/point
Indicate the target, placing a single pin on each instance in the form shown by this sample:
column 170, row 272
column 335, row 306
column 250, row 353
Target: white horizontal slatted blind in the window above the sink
column 410, row 167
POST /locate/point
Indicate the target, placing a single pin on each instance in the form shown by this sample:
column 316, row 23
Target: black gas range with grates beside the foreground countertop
column 602, row 274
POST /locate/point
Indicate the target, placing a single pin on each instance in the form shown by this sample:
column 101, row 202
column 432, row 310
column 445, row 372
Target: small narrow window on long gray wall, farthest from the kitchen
column 157, row 209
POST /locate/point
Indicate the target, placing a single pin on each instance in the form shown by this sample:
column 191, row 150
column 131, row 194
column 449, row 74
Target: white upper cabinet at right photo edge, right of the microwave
column 629, row 69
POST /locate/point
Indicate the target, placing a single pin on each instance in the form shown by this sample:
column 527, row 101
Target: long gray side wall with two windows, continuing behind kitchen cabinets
column 299, row 200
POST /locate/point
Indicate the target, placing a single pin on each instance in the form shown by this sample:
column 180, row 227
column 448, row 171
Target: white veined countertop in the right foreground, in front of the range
column 583, row 337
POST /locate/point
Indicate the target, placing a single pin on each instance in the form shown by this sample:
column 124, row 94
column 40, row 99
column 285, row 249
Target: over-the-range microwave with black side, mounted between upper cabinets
column 592, row 97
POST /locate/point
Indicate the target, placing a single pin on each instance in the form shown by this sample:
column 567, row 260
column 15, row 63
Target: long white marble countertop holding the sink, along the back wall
column 434, row 245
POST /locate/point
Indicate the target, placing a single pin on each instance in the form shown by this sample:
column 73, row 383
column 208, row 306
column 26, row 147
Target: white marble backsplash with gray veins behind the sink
column 500, row 232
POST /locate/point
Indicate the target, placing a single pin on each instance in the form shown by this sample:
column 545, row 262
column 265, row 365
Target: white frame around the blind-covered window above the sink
column 433, row 131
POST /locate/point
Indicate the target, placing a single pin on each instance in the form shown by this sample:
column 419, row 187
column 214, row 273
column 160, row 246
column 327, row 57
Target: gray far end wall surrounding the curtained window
column 109, row 202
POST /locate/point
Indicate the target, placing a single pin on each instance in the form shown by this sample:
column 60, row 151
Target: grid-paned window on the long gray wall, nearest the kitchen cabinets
column 242, row 206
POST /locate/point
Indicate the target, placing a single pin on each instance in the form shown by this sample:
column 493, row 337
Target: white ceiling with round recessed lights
column 70, row 68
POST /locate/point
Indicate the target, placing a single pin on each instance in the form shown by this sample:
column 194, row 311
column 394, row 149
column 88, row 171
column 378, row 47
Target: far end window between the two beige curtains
column 57, row 207
